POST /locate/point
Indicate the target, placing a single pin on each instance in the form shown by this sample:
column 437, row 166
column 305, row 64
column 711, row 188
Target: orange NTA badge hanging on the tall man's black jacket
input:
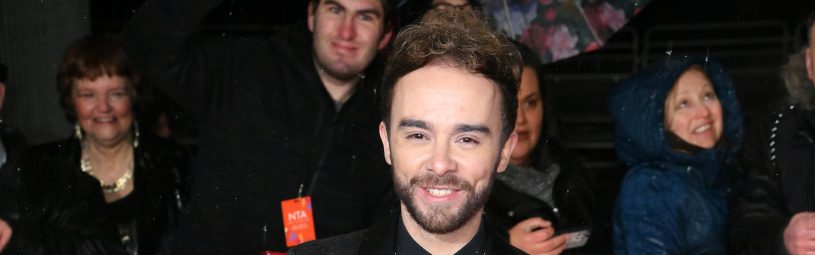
column 298, row 220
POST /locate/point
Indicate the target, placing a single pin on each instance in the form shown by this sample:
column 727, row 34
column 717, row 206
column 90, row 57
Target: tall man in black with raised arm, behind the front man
column 291, row 116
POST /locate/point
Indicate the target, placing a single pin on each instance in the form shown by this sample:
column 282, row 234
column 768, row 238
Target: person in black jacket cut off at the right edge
column 773, row 210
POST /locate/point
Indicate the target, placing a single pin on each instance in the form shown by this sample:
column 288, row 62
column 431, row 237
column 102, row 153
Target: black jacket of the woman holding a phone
column 573, row 196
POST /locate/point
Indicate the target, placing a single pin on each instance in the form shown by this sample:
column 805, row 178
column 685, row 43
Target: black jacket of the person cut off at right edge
column 777, row 179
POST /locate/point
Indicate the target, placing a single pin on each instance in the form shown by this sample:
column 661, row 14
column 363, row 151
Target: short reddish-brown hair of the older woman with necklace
column 91, row 57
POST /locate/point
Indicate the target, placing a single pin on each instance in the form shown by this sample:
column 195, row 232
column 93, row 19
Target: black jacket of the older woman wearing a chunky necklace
column 62, row 209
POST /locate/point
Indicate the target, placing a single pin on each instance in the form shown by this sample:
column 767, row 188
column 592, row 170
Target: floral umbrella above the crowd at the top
column 558, row 29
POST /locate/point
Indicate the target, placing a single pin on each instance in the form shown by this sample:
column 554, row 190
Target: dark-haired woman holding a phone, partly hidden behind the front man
column 543, row 191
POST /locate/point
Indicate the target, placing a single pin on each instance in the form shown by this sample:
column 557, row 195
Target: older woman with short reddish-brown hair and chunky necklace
column 108, row 189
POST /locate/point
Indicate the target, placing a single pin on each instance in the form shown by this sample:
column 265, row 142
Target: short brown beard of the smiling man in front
column 436, row 219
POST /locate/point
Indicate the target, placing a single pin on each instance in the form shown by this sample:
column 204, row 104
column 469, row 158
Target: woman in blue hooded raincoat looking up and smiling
column 677, row 123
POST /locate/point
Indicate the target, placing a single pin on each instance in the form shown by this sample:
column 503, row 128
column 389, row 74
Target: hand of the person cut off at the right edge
column 799, row 235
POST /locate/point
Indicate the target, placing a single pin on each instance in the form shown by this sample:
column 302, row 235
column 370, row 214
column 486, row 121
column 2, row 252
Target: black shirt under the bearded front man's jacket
column 406, row 245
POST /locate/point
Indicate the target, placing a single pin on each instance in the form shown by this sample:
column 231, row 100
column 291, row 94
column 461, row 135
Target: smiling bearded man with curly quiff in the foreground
column 449, row 111
